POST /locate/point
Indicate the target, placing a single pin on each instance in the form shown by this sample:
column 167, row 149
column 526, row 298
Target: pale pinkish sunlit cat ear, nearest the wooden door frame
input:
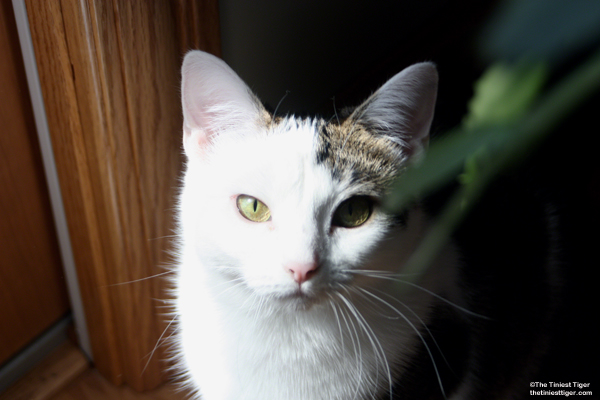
column 214, row 100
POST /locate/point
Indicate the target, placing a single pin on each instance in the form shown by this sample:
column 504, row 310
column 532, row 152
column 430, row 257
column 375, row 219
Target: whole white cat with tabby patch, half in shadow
column 287, row 284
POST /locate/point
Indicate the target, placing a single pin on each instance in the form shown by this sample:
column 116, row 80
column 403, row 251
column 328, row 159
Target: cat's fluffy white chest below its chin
column 323, row 353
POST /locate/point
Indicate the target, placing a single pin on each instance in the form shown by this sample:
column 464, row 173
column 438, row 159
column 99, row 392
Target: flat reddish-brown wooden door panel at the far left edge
column 32, row 290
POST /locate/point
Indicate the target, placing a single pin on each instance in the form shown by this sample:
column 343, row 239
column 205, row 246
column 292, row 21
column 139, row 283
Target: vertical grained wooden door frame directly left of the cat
column 109, row 73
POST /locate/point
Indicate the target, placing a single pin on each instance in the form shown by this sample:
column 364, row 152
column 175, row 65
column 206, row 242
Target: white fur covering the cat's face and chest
column 243, row 330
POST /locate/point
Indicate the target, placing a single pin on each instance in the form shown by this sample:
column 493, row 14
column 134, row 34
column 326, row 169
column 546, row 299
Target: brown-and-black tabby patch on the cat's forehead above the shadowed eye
column 353, row 152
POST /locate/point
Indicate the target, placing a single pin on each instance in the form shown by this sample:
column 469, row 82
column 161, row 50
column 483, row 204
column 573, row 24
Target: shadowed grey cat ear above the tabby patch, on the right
column 402, row 109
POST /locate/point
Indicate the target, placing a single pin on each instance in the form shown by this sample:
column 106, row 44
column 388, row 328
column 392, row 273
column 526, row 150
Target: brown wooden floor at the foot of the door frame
column 67, row 375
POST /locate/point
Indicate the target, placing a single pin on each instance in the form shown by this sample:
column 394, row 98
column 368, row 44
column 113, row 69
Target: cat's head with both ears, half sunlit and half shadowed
column 289, row 207
